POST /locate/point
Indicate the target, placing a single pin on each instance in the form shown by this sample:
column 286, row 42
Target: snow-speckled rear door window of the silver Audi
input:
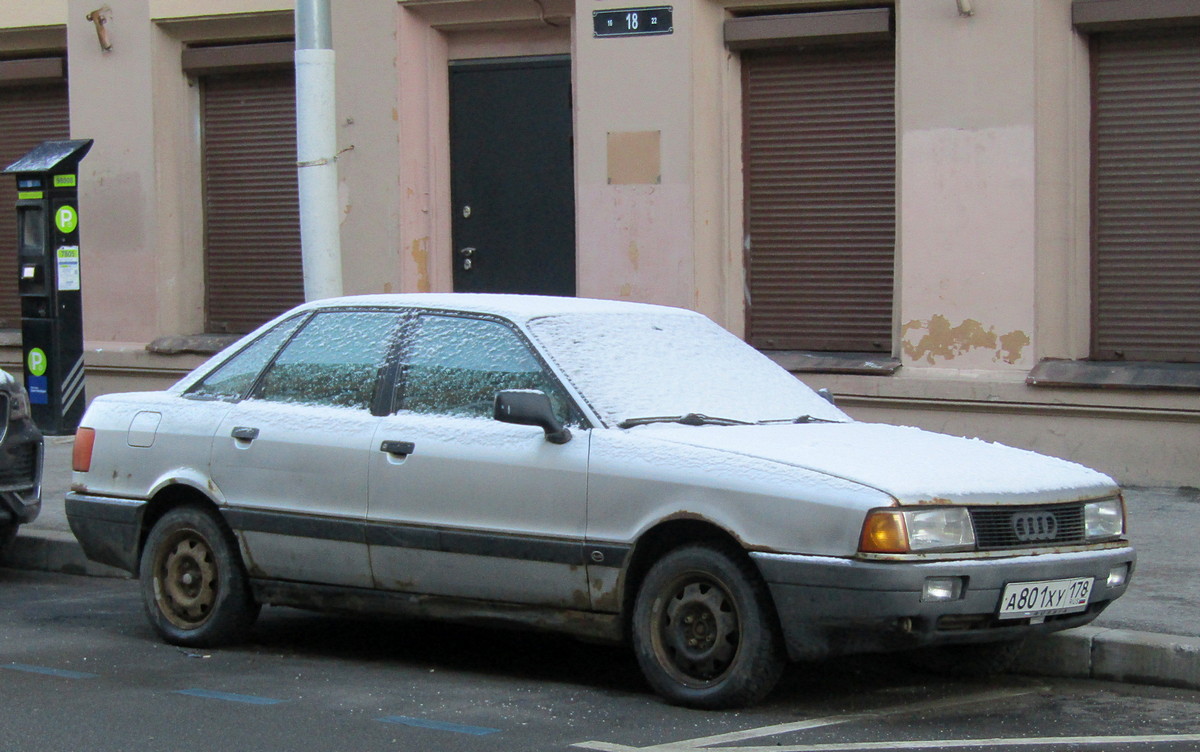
column 335, row 360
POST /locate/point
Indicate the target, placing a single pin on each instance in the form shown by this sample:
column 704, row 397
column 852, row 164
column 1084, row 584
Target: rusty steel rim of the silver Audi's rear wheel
column 187, row 580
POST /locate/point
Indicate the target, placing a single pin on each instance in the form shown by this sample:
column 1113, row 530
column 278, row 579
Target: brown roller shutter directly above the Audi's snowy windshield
column 820, row 163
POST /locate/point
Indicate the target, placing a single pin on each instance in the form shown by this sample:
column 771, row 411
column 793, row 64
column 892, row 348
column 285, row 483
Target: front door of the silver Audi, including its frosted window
column 464, row 506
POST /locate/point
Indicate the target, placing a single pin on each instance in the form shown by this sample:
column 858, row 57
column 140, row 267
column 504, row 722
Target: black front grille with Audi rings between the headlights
column 1028, row 527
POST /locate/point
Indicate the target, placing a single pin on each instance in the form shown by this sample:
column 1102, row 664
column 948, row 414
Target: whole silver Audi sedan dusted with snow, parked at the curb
column 613, row 471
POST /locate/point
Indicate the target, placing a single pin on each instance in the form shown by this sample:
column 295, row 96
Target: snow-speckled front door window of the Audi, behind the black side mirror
column 455, row 366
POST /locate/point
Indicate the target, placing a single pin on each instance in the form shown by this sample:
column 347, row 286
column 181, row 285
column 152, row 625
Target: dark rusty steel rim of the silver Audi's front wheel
column 697, row 630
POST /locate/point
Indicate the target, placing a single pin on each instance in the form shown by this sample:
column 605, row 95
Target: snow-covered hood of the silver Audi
column 910, row 465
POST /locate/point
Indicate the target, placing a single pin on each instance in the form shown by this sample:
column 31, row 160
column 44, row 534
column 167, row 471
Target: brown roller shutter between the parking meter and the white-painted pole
column 251, row 200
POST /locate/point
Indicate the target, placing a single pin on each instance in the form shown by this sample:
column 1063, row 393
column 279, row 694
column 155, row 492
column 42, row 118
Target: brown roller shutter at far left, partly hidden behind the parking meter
column 29, row 116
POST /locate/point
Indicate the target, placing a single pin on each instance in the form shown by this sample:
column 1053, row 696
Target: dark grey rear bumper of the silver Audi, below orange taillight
column 109, row 530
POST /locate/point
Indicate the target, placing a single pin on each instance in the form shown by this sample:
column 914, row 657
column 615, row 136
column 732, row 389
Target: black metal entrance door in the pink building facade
column 513, row 176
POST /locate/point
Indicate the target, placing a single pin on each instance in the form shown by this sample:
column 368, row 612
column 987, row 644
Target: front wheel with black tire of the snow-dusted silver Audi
column 705, row 630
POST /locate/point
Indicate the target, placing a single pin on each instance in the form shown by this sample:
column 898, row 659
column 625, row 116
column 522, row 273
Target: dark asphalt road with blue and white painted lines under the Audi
column 81, row 670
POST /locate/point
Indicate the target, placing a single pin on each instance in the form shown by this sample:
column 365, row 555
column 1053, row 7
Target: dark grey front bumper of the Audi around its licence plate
column 831, row 606
